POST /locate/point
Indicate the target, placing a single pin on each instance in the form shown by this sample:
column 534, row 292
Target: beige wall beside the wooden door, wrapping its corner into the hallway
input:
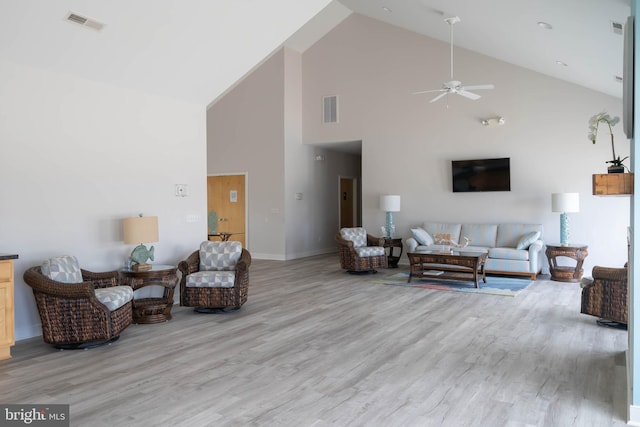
column 257, row 128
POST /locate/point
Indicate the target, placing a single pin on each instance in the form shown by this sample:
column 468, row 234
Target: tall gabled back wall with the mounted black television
column 408, row 143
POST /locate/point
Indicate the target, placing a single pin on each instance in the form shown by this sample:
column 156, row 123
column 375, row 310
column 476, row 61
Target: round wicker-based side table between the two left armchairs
column 156, row 309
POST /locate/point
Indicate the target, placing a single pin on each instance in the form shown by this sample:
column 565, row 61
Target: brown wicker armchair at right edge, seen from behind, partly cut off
column 606, row 296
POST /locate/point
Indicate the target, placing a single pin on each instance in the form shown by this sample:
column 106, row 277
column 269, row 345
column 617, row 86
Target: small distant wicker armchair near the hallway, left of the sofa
column 360, row 251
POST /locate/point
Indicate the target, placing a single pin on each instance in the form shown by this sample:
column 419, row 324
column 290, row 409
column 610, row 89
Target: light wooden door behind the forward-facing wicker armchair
column 226, row 197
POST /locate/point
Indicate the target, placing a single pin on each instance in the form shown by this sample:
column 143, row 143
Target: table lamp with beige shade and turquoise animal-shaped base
column 140, row 229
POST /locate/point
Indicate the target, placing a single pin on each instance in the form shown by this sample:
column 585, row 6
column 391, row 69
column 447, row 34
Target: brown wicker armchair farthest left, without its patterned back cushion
column 71, row 313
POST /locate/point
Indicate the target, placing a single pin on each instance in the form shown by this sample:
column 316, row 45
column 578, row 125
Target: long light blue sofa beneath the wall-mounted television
column 514, row 249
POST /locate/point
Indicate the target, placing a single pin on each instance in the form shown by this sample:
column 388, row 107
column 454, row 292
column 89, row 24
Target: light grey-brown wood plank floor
column 315, row 346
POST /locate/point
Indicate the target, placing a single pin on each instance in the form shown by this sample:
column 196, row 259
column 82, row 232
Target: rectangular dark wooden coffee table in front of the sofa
column 448, row 265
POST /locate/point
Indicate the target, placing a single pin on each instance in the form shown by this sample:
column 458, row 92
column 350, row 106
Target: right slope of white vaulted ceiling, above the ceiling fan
column 581, row 37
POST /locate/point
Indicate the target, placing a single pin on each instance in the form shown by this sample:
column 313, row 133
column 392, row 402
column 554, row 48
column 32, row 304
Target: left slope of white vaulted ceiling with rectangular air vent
column 187, row 49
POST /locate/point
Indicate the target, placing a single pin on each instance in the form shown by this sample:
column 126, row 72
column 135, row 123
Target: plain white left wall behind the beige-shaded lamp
column 76, row 157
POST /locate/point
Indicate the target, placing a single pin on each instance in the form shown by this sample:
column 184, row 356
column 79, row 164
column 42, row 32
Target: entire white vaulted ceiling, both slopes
column 195, row 50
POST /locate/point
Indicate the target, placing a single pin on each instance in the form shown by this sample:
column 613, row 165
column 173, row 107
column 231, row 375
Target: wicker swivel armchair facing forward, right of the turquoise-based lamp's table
column 216, row 277
